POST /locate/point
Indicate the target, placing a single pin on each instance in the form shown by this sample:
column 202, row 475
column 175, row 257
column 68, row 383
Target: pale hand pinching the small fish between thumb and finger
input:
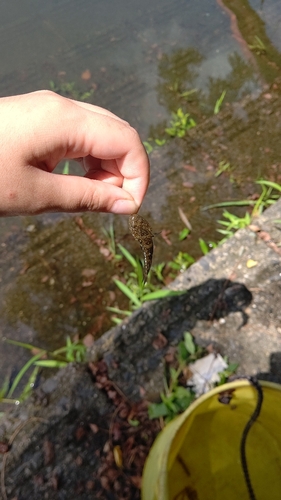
column 40, row 129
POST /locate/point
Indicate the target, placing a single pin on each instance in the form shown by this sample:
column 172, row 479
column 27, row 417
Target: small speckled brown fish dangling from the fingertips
column 143, row 234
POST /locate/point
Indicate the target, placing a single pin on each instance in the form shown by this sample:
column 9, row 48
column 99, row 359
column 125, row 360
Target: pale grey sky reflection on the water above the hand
column 119, row 46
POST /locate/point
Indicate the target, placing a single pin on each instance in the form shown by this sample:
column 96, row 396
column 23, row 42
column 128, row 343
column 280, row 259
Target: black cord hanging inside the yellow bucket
column 253, row 418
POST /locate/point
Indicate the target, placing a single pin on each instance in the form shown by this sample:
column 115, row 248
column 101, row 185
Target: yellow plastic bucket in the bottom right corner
column 197, row 456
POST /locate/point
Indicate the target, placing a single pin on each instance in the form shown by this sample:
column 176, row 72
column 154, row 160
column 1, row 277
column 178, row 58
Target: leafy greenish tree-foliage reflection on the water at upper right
column 177, row 84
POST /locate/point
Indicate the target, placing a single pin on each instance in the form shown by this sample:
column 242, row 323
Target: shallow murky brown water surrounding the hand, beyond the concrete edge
column 56, row 275
